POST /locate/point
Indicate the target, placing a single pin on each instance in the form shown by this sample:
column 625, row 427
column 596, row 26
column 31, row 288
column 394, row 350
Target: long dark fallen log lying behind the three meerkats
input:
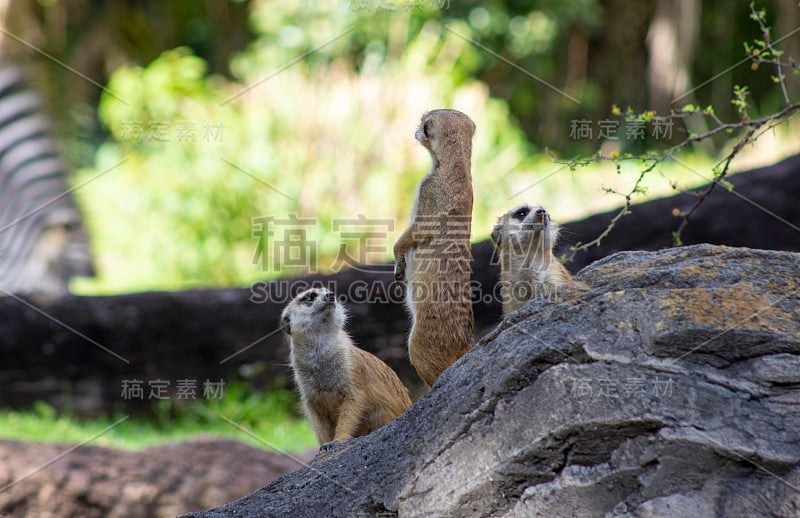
column 79, row 352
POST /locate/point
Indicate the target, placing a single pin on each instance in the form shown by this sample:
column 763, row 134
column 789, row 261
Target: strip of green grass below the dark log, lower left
column 267, row 420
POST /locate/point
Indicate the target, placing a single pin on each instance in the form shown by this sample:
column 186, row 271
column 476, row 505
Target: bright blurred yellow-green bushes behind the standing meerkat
column 318, row 139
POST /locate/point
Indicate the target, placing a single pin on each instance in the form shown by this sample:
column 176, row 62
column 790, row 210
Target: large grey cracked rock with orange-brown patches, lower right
column 671, row 387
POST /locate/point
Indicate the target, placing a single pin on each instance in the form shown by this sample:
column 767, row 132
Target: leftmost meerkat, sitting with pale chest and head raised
column 346, row 391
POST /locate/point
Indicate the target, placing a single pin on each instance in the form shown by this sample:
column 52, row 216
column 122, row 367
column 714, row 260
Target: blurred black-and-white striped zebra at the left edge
column 42, row 241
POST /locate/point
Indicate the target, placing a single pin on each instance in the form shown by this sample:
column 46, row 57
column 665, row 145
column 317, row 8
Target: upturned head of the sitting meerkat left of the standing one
column 314, row 311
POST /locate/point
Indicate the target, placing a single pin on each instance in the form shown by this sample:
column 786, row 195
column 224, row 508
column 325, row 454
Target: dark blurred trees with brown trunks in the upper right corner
column 598, row 52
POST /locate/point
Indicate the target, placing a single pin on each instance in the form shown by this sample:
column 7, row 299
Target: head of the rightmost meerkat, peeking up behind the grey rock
column 525, row 233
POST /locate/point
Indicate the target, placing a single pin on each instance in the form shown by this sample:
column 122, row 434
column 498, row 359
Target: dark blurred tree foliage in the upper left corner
column 71, row 48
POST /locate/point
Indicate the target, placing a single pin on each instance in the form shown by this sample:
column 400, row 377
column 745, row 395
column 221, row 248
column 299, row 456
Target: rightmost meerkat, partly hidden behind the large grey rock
column 524, row 238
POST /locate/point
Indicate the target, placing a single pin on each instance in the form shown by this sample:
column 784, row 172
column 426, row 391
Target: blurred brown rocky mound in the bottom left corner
column 54, row 480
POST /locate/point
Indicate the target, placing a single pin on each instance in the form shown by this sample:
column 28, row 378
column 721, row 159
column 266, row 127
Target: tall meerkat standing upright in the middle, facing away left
column 433, row 254
